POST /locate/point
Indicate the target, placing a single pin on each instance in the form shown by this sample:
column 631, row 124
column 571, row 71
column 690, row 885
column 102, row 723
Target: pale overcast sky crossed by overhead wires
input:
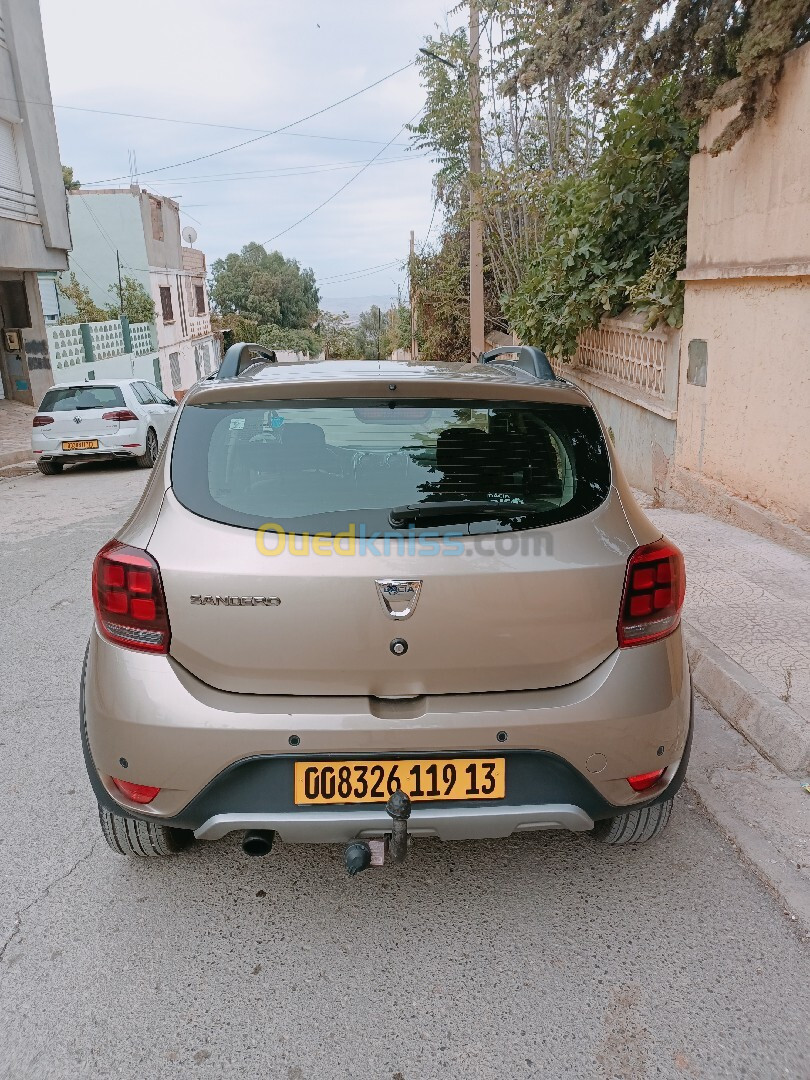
column 255, row 64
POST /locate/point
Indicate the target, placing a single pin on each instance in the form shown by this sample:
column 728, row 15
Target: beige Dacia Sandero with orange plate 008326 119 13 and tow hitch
column 361, row 602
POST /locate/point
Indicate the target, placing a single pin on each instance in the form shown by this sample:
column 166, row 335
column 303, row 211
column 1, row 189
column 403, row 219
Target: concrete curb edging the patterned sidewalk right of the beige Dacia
column 777, row 732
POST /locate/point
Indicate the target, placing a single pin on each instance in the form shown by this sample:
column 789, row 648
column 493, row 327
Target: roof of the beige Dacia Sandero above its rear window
column 368, row 377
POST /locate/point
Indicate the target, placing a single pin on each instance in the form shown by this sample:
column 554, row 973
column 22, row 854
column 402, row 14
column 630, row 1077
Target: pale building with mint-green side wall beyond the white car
column 142, row 232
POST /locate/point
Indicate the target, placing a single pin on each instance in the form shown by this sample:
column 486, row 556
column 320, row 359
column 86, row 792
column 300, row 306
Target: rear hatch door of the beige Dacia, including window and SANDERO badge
column 456, row 598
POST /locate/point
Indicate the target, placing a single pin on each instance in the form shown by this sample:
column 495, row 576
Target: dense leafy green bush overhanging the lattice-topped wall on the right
column 617, row 236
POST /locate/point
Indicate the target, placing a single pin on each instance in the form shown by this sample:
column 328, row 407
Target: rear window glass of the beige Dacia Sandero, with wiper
column 321, row 467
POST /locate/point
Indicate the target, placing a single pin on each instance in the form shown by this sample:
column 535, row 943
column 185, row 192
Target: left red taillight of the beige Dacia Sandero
column 128, row 596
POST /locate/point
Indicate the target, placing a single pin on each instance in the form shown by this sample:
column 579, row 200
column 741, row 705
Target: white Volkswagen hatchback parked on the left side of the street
column 117, row 418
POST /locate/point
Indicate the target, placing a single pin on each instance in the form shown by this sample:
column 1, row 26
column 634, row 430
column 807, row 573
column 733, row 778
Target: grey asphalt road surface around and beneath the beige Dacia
column 545, row 956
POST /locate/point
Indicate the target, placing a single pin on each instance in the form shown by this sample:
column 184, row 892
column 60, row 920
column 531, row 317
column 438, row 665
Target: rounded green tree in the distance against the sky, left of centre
column 265, row 288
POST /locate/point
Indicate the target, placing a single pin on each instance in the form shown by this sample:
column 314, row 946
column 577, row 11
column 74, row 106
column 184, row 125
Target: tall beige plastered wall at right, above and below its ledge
column 748, row 296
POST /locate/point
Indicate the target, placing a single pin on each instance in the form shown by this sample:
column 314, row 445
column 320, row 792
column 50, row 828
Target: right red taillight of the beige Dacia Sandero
column 654, row 595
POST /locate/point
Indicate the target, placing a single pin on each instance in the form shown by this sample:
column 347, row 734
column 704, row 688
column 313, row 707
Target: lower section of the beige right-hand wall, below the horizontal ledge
column 749, row 428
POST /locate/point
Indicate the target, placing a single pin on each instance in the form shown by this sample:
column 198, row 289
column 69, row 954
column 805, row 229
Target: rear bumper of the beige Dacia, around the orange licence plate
column 224, row 762
